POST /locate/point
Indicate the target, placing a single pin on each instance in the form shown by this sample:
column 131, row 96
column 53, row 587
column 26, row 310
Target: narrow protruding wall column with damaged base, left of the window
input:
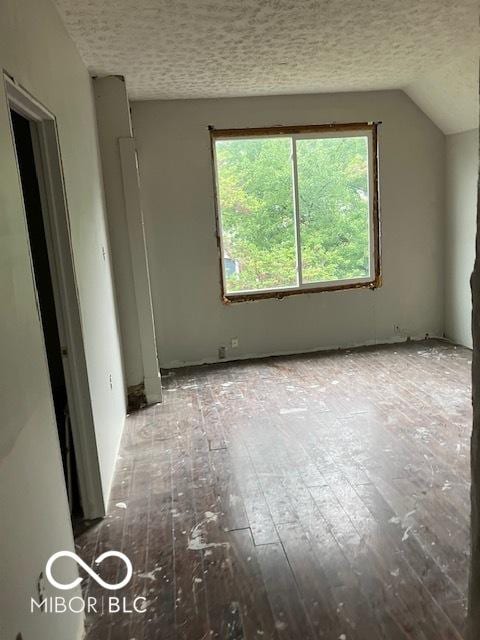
column 125, row 219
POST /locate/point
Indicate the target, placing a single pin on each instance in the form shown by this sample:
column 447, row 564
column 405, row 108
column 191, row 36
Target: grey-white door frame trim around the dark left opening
column 48, row 163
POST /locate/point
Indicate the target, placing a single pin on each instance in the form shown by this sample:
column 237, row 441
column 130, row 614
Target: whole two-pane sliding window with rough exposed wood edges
column 297, row 209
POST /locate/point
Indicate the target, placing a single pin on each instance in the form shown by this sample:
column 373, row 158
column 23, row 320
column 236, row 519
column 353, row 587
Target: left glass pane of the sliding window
column 256, row 209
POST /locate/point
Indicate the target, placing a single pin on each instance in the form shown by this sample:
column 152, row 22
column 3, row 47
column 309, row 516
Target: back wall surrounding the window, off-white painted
column 177, row 189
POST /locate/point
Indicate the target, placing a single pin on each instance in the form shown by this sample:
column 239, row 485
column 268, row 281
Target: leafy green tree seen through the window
column 257, row 210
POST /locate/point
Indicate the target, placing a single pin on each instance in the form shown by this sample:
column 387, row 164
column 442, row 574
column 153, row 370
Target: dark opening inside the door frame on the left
column 22, row 129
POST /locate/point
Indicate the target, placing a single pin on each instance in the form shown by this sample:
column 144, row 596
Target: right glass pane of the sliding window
column 334, row 208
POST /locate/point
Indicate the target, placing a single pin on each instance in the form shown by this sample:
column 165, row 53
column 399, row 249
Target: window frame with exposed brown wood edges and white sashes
column 362, row 129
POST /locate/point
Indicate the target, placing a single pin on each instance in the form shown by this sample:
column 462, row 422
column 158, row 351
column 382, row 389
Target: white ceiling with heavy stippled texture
column 216, row 48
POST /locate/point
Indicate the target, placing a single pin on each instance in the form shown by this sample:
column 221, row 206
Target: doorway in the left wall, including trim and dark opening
column 35, row 139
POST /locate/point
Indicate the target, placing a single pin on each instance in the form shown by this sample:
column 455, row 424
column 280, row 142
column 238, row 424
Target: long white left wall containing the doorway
column 34, row 519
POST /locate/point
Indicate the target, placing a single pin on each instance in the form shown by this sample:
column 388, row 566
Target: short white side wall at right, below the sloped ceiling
column 460, row 230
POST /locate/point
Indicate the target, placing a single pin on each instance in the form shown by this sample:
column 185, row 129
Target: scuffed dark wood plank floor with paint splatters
column 315, row 496
